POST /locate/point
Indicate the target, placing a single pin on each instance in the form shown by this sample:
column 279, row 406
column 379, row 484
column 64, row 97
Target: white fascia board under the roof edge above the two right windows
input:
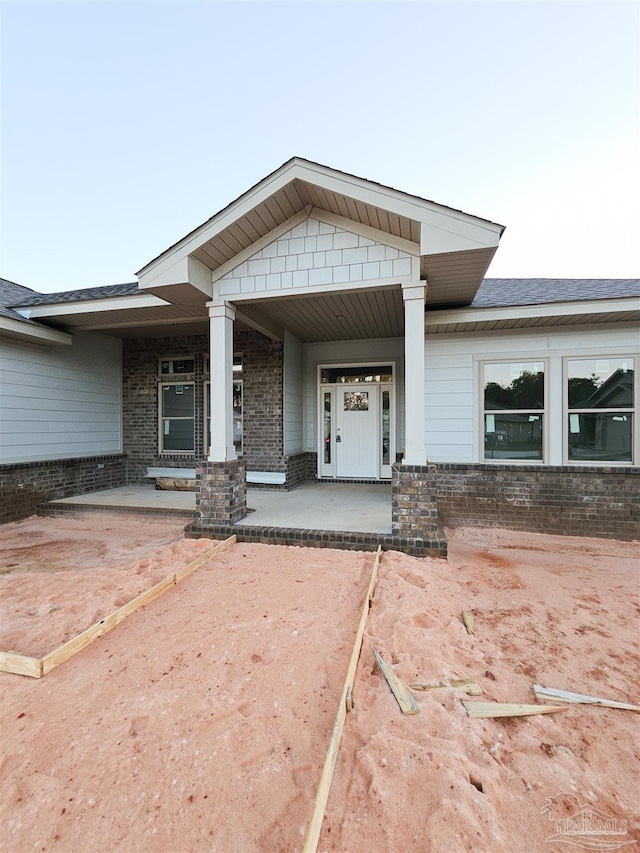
column 531, row 312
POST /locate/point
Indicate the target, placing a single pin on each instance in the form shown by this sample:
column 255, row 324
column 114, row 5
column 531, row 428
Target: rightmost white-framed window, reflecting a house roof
column 600, row 394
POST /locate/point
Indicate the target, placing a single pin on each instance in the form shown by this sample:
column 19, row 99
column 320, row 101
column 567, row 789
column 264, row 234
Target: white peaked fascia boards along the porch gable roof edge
column 359, row 189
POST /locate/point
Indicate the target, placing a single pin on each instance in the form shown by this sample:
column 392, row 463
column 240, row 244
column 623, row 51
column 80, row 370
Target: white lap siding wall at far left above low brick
column 60, row 402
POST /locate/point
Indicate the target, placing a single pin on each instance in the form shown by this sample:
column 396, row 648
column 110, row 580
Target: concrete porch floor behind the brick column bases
column 317, row 506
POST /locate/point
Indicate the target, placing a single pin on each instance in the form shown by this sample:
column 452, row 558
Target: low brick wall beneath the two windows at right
column 580, row 501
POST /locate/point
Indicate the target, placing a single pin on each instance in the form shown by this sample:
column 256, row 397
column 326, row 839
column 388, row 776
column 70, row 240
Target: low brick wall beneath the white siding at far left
column 25, row 485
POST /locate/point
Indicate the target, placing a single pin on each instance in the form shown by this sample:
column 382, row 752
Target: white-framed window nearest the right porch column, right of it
column 513, row 410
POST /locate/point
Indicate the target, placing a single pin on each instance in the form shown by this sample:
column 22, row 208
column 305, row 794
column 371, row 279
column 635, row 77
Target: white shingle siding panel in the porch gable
column 315, row 253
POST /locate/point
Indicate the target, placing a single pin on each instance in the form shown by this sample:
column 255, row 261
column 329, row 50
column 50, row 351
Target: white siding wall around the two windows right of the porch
column 453, row 393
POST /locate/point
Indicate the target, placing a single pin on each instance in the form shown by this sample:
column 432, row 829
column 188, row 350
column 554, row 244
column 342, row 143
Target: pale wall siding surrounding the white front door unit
column 372, row 351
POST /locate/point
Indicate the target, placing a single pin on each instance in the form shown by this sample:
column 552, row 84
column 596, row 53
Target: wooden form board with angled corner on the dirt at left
column 37, row 668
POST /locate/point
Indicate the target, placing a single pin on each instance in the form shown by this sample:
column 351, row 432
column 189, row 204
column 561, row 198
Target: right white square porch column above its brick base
column 413, row 296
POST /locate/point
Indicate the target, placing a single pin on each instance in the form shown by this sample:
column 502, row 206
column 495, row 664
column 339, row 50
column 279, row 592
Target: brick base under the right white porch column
column 414, row 509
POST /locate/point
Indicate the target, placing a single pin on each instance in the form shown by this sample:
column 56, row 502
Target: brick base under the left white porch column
column 221, row 492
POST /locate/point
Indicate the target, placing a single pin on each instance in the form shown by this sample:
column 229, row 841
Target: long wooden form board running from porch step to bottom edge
column 345, row 704
